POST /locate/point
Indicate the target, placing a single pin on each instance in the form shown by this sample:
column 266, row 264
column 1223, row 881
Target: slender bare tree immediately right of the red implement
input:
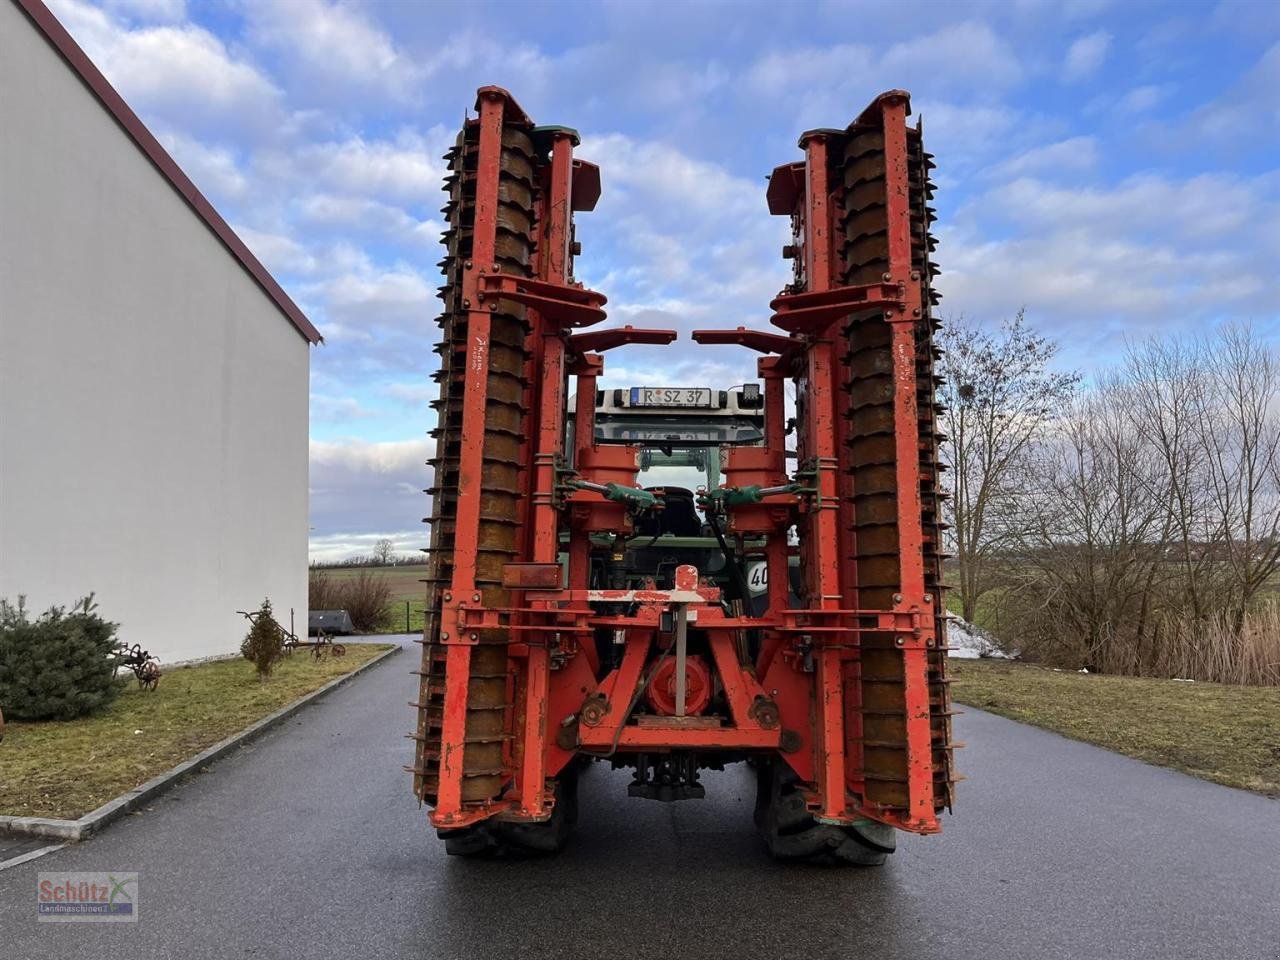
column 1000, row 394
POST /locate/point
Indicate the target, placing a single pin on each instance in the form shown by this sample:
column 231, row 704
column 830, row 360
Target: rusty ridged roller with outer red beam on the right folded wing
column 893, row 454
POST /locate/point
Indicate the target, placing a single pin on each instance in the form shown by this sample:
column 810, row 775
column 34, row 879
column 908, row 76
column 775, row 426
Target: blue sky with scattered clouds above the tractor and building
column 1113, row 167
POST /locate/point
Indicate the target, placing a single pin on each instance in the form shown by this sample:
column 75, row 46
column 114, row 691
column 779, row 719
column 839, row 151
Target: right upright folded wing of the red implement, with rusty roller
column 862, row 282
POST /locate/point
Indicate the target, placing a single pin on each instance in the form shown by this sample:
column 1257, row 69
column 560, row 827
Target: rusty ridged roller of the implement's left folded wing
column 495, row 540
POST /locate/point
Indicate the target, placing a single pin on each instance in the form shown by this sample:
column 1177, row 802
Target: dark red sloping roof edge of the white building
column 79, row 61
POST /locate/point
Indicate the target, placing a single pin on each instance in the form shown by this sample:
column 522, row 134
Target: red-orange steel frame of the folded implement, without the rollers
column 799, row 701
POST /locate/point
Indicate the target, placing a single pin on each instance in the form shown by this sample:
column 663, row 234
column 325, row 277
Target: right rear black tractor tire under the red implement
column 792, row 833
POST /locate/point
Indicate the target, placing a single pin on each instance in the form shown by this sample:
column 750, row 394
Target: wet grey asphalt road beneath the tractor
column 308, row 844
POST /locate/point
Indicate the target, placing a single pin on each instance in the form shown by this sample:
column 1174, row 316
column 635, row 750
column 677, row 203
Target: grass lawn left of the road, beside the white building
column 66, row 770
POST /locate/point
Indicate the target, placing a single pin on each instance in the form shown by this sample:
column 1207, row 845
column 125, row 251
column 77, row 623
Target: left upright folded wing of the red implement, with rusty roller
column 509, row 299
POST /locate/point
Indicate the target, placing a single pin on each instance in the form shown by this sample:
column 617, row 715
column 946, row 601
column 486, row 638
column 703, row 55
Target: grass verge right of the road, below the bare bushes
column 1226, row 734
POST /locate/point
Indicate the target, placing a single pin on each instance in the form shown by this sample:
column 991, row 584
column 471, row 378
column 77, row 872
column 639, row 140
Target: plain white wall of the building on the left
column 153, row 399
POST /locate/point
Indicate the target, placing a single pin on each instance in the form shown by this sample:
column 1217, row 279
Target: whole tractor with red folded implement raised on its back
column 788, row 616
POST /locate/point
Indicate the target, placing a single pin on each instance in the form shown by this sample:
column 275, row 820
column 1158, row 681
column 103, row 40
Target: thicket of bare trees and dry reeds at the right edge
column 1150, row 518
